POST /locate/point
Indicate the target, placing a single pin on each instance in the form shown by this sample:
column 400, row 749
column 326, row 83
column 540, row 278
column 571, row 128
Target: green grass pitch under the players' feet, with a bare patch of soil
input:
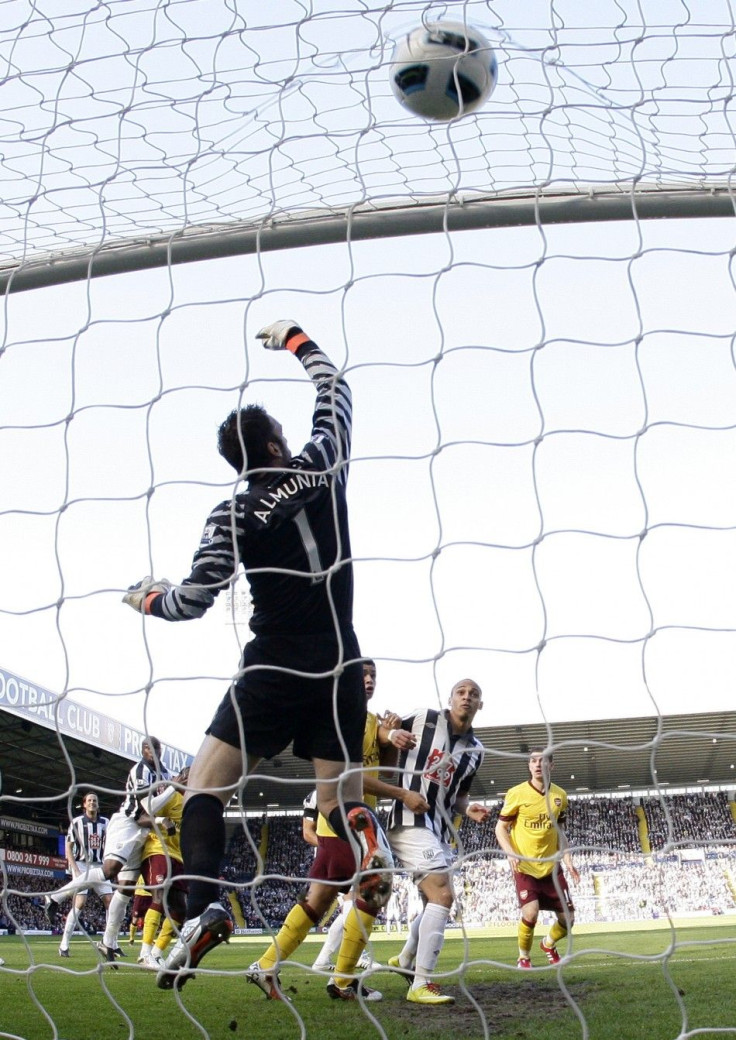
column 673, row 983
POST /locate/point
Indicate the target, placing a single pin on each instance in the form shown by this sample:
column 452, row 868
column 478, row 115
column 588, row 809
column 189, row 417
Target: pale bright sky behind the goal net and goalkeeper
column 545, row 419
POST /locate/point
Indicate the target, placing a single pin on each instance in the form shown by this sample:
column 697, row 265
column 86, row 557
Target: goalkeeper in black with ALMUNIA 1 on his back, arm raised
column 301, row 677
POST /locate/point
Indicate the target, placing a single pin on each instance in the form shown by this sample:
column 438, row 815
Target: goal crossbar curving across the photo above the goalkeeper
column 387, row 219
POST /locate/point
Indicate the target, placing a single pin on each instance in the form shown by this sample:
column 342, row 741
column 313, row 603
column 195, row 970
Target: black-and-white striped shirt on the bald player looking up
column 441, row 768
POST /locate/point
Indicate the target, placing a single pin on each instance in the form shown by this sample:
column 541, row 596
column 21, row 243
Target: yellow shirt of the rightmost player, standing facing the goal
column 534, row 817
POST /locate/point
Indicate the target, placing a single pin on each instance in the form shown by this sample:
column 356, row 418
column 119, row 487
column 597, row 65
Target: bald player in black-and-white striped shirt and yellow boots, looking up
column 440, row 767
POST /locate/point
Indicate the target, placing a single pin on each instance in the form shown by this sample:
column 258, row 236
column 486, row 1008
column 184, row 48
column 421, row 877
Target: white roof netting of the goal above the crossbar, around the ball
column 135, row 119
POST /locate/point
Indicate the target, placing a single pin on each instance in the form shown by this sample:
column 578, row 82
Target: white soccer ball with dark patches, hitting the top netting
column 443, row 70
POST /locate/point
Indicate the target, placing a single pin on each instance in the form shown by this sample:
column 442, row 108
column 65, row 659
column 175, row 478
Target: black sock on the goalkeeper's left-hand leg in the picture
column 203, row 840
